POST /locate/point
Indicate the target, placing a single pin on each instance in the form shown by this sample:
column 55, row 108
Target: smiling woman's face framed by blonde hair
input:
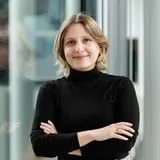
column 80, row 49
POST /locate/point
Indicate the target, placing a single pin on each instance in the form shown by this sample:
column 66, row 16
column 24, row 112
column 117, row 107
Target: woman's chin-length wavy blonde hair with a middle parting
column 93, row 29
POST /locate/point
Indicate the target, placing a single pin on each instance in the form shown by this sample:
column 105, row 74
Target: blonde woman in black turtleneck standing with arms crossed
column 87, row 114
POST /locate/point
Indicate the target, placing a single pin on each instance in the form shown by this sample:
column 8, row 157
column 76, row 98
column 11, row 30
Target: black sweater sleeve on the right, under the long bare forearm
column 127, row 110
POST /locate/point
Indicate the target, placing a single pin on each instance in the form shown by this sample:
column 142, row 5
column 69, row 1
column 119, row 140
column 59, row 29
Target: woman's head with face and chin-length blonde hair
column 80, row 45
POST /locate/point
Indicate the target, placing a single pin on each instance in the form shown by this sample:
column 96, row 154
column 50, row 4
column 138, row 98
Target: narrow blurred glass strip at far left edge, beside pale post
column 4, row 80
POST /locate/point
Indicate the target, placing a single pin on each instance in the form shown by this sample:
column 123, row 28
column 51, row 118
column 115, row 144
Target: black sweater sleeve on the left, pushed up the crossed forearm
column 49, row 145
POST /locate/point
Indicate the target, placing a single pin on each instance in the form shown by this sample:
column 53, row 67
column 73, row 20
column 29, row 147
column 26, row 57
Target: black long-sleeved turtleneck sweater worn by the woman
column 84, row 101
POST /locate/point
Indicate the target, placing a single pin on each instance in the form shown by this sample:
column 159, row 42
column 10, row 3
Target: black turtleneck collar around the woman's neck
column 84, row 76
